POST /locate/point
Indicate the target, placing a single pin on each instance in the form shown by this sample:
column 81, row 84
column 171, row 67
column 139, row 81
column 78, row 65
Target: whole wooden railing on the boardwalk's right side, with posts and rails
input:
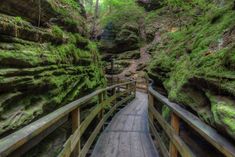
column 172, row 129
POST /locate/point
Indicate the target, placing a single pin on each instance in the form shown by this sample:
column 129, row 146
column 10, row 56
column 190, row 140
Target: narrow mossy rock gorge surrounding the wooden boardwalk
column 53, row 52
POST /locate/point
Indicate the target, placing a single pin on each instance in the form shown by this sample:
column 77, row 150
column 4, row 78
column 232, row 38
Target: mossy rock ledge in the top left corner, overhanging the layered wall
column 67, row 14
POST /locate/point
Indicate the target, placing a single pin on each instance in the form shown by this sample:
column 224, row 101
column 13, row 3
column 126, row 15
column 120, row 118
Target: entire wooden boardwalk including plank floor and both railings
column 127, row 135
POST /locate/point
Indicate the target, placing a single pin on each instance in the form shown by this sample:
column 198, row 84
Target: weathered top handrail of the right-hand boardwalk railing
column 210, row 134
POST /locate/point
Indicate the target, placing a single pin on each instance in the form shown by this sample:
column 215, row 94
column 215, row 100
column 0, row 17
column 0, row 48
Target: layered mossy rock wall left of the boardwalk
column 46, row 59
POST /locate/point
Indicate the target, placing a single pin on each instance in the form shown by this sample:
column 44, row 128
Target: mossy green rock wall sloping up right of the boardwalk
column 194, row 64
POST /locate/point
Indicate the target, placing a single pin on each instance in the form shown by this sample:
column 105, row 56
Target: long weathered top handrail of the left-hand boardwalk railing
column 14, row 141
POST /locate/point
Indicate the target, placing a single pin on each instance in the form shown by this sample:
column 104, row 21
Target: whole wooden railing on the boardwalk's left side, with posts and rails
column 20, row 142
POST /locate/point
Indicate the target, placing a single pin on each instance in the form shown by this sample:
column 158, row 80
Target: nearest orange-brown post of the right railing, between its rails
column 175, row 124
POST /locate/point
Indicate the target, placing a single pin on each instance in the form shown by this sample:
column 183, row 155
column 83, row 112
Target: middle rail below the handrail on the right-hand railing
column 183, row 149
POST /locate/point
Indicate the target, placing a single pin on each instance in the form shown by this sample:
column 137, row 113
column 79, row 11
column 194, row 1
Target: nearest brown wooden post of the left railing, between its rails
column 75, row 125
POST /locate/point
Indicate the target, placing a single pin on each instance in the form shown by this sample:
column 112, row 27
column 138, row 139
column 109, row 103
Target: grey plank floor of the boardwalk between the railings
column 127, row 135
